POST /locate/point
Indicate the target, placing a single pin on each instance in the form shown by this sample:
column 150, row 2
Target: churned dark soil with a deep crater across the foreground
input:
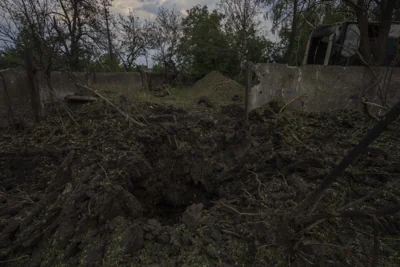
column 191, row 188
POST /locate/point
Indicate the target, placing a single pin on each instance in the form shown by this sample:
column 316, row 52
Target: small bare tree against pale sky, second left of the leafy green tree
column 134, row 39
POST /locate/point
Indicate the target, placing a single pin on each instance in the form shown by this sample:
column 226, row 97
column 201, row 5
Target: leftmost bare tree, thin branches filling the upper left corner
column 27, row 24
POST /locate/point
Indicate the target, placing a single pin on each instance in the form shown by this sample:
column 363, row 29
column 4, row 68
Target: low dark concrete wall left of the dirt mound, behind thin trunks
column 63, row 84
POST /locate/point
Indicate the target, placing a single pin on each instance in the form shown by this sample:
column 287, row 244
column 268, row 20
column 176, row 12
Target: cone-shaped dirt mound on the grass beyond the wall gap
column 219, row 87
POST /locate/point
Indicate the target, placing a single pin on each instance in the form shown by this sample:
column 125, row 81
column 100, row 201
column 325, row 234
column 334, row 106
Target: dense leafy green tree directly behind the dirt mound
column 205, row 46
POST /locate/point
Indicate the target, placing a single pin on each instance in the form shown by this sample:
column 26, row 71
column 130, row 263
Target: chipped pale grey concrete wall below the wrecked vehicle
column 322, row 88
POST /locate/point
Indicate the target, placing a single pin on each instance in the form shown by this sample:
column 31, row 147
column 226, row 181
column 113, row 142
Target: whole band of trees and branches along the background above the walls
column 86, row 35
